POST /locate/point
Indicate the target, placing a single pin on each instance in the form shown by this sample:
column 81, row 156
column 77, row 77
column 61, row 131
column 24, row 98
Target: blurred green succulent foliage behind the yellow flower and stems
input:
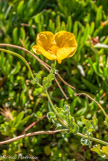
column 87, row 70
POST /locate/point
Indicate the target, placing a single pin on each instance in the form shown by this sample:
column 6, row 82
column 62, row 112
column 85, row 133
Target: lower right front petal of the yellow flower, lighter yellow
column 63, row 53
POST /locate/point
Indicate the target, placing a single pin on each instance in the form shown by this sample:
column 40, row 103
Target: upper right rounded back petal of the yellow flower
column 65, row 39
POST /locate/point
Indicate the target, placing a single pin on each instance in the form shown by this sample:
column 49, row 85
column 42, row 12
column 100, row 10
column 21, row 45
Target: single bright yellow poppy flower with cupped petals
column 55, row 47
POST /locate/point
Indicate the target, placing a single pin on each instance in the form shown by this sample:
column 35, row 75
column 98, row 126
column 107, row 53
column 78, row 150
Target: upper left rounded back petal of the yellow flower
column 45, row 39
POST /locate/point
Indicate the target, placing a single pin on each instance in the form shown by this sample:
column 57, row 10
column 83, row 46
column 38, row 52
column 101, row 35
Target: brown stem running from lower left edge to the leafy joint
column 31, row 134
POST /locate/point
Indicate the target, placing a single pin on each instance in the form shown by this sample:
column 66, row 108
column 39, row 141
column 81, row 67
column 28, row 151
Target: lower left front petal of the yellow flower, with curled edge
column 40, row 50
